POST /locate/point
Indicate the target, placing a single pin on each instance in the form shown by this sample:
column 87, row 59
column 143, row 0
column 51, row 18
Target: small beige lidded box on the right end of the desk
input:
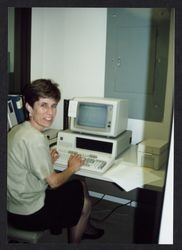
column 152, row 153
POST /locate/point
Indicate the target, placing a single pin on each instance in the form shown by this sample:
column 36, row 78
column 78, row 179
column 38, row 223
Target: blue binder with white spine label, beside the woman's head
column 17, row 101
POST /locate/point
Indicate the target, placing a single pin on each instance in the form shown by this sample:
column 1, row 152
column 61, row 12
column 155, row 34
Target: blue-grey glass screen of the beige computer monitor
column 92, row 115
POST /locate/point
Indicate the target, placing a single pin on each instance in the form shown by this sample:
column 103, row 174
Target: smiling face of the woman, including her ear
column 42, row 113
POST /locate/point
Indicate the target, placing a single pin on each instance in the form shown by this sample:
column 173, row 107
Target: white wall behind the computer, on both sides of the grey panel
column 68, row 45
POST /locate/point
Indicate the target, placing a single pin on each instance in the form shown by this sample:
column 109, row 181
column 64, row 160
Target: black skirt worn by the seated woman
column 63, row 207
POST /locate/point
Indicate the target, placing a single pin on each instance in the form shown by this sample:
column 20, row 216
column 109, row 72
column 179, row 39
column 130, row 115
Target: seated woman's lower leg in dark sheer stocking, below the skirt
column 76, row 232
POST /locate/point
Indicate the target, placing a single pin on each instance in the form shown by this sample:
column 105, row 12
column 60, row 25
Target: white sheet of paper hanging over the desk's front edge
column 130, row 176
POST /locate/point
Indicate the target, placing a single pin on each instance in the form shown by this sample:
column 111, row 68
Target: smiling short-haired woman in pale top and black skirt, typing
column 37, row 196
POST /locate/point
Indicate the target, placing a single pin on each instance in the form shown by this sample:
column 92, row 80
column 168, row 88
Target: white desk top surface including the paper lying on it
column 125, row 172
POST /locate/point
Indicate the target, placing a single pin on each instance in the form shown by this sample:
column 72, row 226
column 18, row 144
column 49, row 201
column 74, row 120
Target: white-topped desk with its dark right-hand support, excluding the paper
column 149, row 198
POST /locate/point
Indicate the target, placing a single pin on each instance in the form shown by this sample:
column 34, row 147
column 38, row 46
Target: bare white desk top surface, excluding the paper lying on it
column 128, row 157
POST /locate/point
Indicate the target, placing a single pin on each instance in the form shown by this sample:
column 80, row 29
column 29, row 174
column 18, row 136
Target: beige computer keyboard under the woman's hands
column 94, row 161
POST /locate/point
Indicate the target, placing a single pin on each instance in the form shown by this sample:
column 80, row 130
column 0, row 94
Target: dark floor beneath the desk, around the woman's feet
column 117, row 223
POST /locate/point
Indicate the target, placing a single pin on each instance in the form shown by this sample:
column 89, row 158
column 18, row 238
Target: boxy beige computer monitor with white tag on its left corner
column 98, row 115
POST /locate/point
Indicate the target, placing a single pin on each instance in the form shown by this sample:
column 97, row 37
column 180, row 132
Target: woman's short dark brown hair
column 45, row 88
